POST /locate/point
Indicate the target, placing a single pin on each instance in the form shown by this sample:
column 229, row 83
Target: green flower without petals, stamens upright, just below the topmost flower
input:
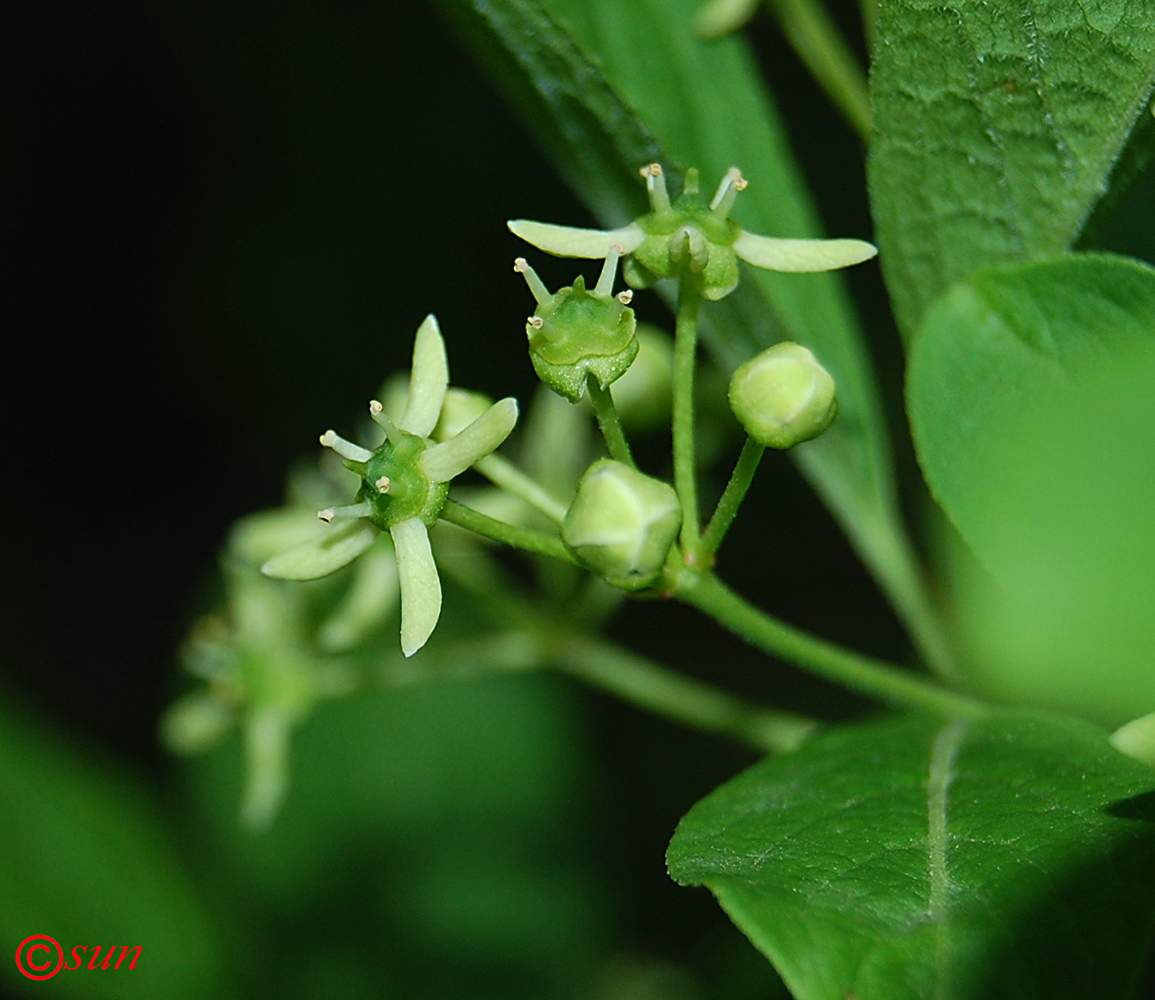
column 578, row 333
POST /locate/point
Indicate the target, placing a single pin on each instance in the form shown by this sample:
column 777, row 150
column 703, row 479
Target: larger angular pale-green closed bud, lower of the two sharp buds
column 622, row 525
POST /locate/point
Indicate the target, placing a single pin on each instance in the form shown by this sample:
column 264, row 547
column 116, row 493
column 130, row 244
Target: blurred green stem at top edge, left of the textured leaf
column 814, row 35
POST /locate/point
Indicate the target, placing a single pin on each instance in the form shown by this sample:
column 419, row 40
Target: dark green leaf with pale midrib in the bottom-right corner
column 907, row 859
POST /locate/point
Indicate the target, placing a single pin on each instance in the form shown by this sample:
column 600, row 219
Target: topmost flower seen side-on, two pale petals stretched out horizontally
column 690, row 237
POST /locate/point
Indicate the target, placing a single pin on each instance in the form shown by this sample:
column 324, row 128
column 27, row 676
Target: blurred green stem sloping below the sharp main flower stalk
column 682, row 699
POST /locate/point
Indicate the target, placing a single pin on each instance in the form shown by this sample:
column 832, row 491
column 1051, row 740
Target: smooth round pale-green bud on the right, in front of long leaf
column 784, row 397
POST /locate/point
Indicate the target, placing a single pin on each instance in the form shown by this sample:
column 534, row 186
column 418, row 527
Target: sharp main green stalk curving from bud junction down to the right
column 876, row 678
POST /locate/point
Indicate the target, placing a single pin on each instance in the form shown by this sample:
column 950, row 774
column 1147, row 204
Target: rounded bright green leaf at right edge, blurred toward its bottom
column 1030, row 395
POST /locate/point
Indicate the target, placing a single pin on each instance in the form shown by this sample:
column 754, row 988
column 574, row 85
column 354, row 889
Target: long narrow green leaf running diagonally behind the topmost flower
column 610, row 86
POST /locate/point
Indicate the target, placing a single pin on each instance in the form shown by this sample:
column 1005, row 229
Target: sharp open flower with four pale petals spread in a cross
column 405, row 484
